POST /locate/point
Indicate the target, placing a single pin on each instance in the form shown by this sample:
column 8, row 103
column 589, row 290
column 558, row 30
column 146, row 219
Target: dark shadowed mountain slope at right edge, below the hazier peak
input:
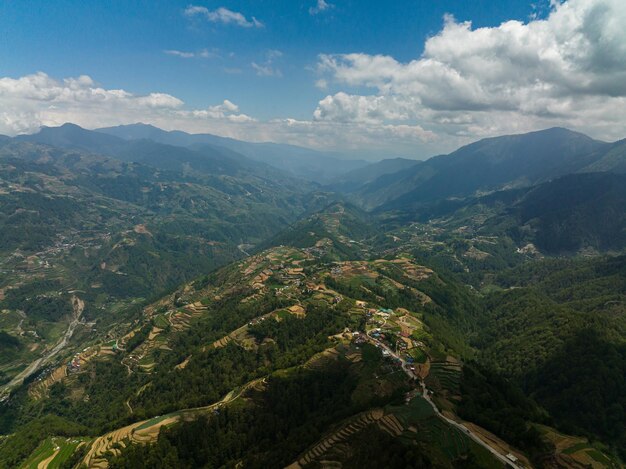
column 584, row 211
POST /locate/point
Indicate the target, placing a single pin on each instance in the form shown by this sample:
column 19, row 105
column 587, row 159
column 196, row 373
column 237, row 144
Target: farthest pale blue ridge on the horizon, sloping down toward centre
column 302, row 162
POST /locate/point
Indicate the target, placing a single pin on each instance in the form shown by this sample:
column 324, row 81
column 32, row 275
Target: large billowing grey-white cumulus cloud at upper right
column 567, row 69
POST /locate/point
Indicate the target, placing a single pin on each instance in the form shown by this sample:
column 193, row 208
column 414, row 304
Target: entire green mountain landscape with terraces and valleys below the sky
column 188, row 285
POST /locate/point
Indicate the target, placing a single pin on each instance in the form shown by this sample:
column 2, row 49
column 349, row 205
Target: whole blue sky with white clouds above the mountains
column 369, row 78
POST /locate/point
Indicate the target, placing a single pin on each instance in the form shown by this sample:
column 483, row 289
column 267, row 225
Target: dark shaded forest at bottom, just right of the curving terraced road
column 289, row 415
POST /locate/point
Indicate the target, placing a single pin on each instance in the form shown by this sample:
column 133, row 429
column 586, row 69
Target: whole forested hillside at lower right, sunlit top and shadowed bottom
column 560, row 335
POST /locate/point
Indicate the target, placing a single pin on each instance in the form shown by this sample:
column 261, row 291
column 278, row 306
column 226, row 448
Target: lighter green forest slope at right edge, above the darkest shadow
column 545, row 304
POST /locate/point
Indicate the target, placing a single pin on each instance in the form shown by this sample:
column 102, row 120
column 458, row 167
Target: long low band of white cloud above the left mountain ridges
column 28, row 102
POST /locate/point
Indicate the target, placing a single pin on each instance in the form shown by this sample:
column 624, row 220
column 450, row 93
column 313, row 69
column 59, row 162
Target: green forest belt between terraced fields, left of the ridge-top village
column 213, row 372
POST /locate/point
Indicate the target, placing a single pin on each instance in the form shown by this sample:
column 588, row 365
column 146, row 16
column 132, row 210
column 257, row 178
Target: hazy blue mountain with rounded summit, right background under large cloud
column 489, row 164
